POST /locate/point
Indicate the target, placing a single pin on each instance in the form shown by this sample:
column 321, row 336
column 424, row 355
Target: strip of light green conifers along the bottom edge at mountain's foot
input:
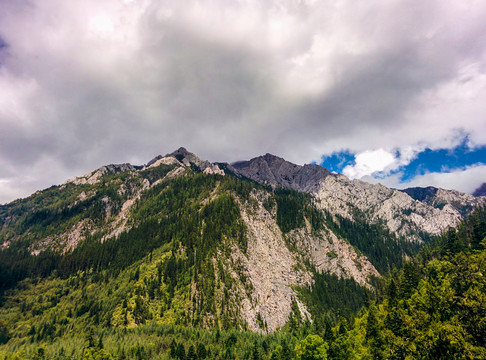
column 164, row 342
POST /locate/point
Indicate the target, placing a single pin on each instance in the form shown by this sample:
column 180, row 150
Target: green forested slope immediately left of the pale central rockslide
column 164, row 270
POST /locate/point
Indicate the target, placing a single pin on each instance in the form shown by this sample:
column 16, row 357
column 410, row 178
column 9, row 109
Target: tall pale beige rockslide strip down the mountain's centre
column 272, row 271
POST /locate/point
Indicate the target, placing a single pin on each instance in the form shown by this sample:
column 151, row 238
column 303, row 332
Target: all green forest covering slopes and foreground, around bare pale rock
column 161, row 289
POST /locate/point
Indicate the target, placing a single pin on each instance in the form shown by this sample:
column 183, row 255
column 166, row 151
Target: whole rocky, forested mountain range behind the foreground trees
column 180, row 241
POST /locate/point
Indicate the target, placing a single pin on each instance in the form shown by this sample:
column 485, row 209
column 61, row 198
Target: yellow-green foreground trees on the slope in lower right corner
column 434, row 308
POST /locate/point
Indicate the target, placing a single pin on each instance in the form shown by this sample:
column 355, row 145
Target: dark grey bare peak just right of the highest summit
column 272, row 170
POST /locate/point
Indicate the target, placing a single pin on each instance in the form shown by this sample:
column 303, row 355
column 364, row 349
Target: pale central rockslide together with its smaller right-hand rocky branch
column 272, row 268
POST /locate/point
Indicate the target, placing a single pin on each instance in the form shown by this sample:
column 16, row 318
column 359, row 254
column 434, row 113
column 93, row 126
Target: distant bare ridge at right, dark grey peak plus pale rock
column 412, row 213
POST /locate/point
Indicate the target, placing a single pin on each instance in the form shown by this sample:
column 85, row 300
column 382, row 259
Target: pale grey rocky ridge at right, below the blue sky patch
column 401, row 213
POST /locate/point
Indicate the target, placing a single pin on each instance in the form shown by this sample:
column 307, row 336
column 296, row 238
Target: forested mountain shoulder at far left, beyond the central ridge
column 52, row 212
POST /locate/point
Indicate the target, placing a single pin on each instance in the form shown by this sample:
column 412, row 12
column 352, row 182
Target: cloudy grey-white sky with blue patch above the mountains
column 380, row 90
